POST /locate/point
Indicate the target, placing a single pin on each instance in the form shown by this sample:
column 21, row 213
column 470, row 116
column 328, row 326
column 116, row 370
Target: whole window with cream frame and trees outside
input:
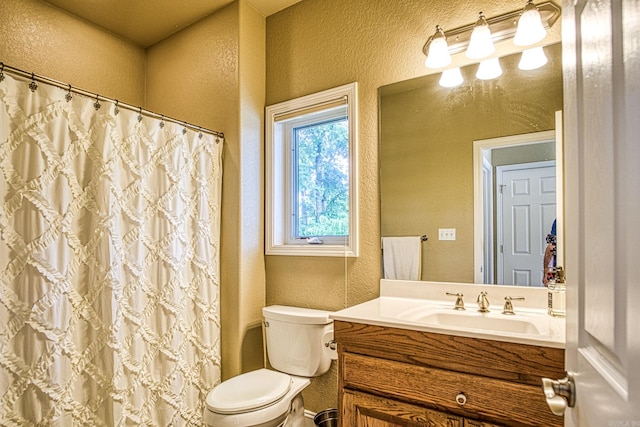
column 311, row 182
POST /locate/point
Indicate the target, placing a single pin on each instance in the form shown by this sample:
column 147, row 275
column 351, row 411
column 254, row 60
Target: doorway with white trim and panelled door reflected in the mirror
column 515, row 198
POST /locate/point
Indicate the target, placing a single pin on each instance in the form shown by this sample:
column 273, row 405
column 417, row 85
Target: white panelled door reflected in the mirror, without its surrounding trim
column 527, row 209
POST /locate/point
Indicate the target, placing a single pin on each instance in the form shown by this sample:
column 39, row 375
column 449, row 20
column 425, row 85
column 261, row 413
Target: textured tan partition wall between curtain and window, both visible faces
column 212, row 74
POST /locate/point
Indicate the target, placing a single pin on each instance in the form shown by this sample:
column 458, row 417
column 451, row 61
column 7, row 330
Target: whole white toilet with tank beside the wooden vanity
column 299, row 346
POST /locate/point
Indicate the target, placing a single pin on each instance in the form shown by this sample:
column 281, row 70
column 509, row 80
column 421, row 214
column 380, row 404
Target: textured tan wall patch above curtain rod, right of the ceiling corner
column 193, row 75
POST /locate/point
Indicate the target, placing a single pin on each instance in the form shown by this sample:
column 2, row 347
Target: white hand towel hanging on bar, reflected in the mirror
column 402, row 257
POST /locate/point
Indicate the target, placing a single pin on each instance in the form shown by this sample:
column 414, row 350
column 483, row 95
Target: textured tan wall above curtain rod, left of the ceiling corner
column 39, row 38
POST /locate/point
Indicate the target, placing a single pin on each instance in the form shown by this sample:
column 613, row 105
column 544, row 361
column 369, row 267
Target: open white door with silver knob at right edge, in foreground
column 601, row 42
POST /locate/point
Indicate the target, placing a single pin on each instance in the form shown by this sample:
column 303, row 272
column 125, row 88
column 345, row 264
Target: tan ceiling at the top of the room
column 146, row 22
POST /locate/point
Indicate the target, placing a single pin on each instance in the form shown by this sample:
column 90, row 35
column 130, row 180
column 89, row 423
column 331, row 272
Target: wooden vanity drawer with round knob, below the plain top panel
column 489, row 399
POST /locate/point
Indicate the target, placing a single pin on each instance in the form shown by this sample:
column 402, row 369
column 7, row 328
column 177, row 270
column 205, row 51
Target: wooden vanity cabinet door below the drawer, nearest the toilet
column 365, row 410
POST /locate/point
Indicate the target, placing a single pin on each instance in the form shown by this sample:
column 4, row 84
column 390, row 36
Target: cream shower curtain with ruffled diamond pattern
column 109, row 255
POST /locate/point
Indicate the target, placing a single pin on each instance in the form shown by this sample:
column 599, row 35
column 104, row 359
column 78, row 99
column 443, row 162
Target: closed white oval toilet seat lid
column 248, row 392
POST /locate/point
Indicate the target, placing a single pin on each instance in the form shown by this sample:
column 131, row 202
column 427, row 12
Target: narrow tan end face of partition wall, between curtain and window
column 251, row 255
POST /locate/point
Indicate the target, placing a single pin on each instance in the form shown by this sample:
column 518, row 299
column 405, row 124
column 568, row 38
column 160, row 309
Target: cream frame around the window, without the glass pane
column 278, row 174
